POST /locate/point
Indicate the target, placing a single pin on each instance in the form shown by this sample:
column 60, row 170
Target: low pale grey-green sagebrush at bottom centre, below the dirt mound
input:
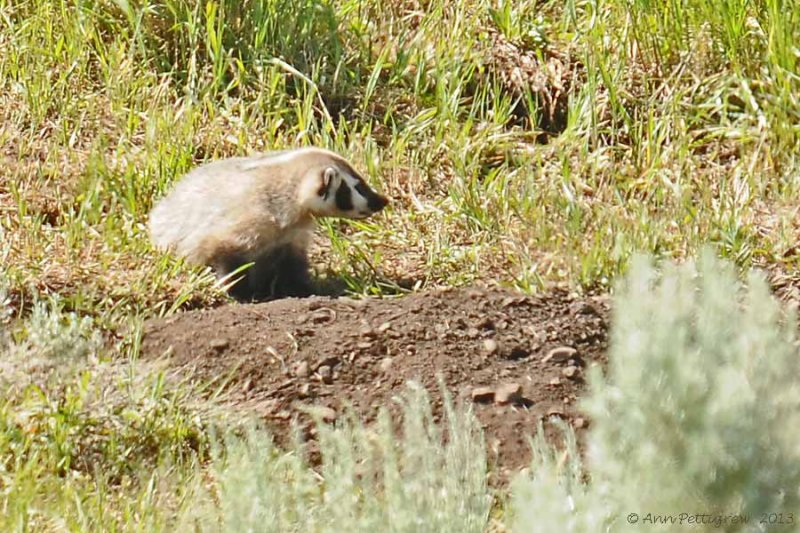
column 368, row 478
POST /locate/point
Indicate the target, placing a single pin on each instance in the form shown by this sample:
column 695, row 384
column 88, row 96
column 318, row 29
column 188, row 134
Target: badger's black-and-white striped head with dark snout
column 337, row 190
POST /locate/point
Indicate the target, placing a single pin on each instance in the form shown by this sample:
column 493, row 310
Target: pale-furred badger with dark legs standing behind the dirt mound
column 260, row 210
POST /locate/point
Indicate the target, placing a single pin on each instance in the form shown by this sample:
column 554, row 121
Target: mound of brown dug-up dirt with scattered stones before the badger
column 518, row 358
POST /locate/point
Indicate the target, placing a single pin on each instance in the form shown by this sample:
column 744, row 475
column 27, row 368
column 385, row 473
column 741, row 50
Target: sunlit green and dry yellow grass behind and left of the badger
column 525, row 142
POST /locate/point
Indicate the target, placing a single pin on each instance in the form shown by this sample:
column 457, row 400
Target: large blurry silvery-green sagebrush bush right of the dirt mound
column 694, row 416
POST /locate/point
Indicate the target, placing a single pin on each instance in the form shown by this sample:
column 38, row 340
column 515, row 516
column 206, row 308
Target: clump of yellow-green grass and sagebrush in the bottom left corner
column 87, row 442
